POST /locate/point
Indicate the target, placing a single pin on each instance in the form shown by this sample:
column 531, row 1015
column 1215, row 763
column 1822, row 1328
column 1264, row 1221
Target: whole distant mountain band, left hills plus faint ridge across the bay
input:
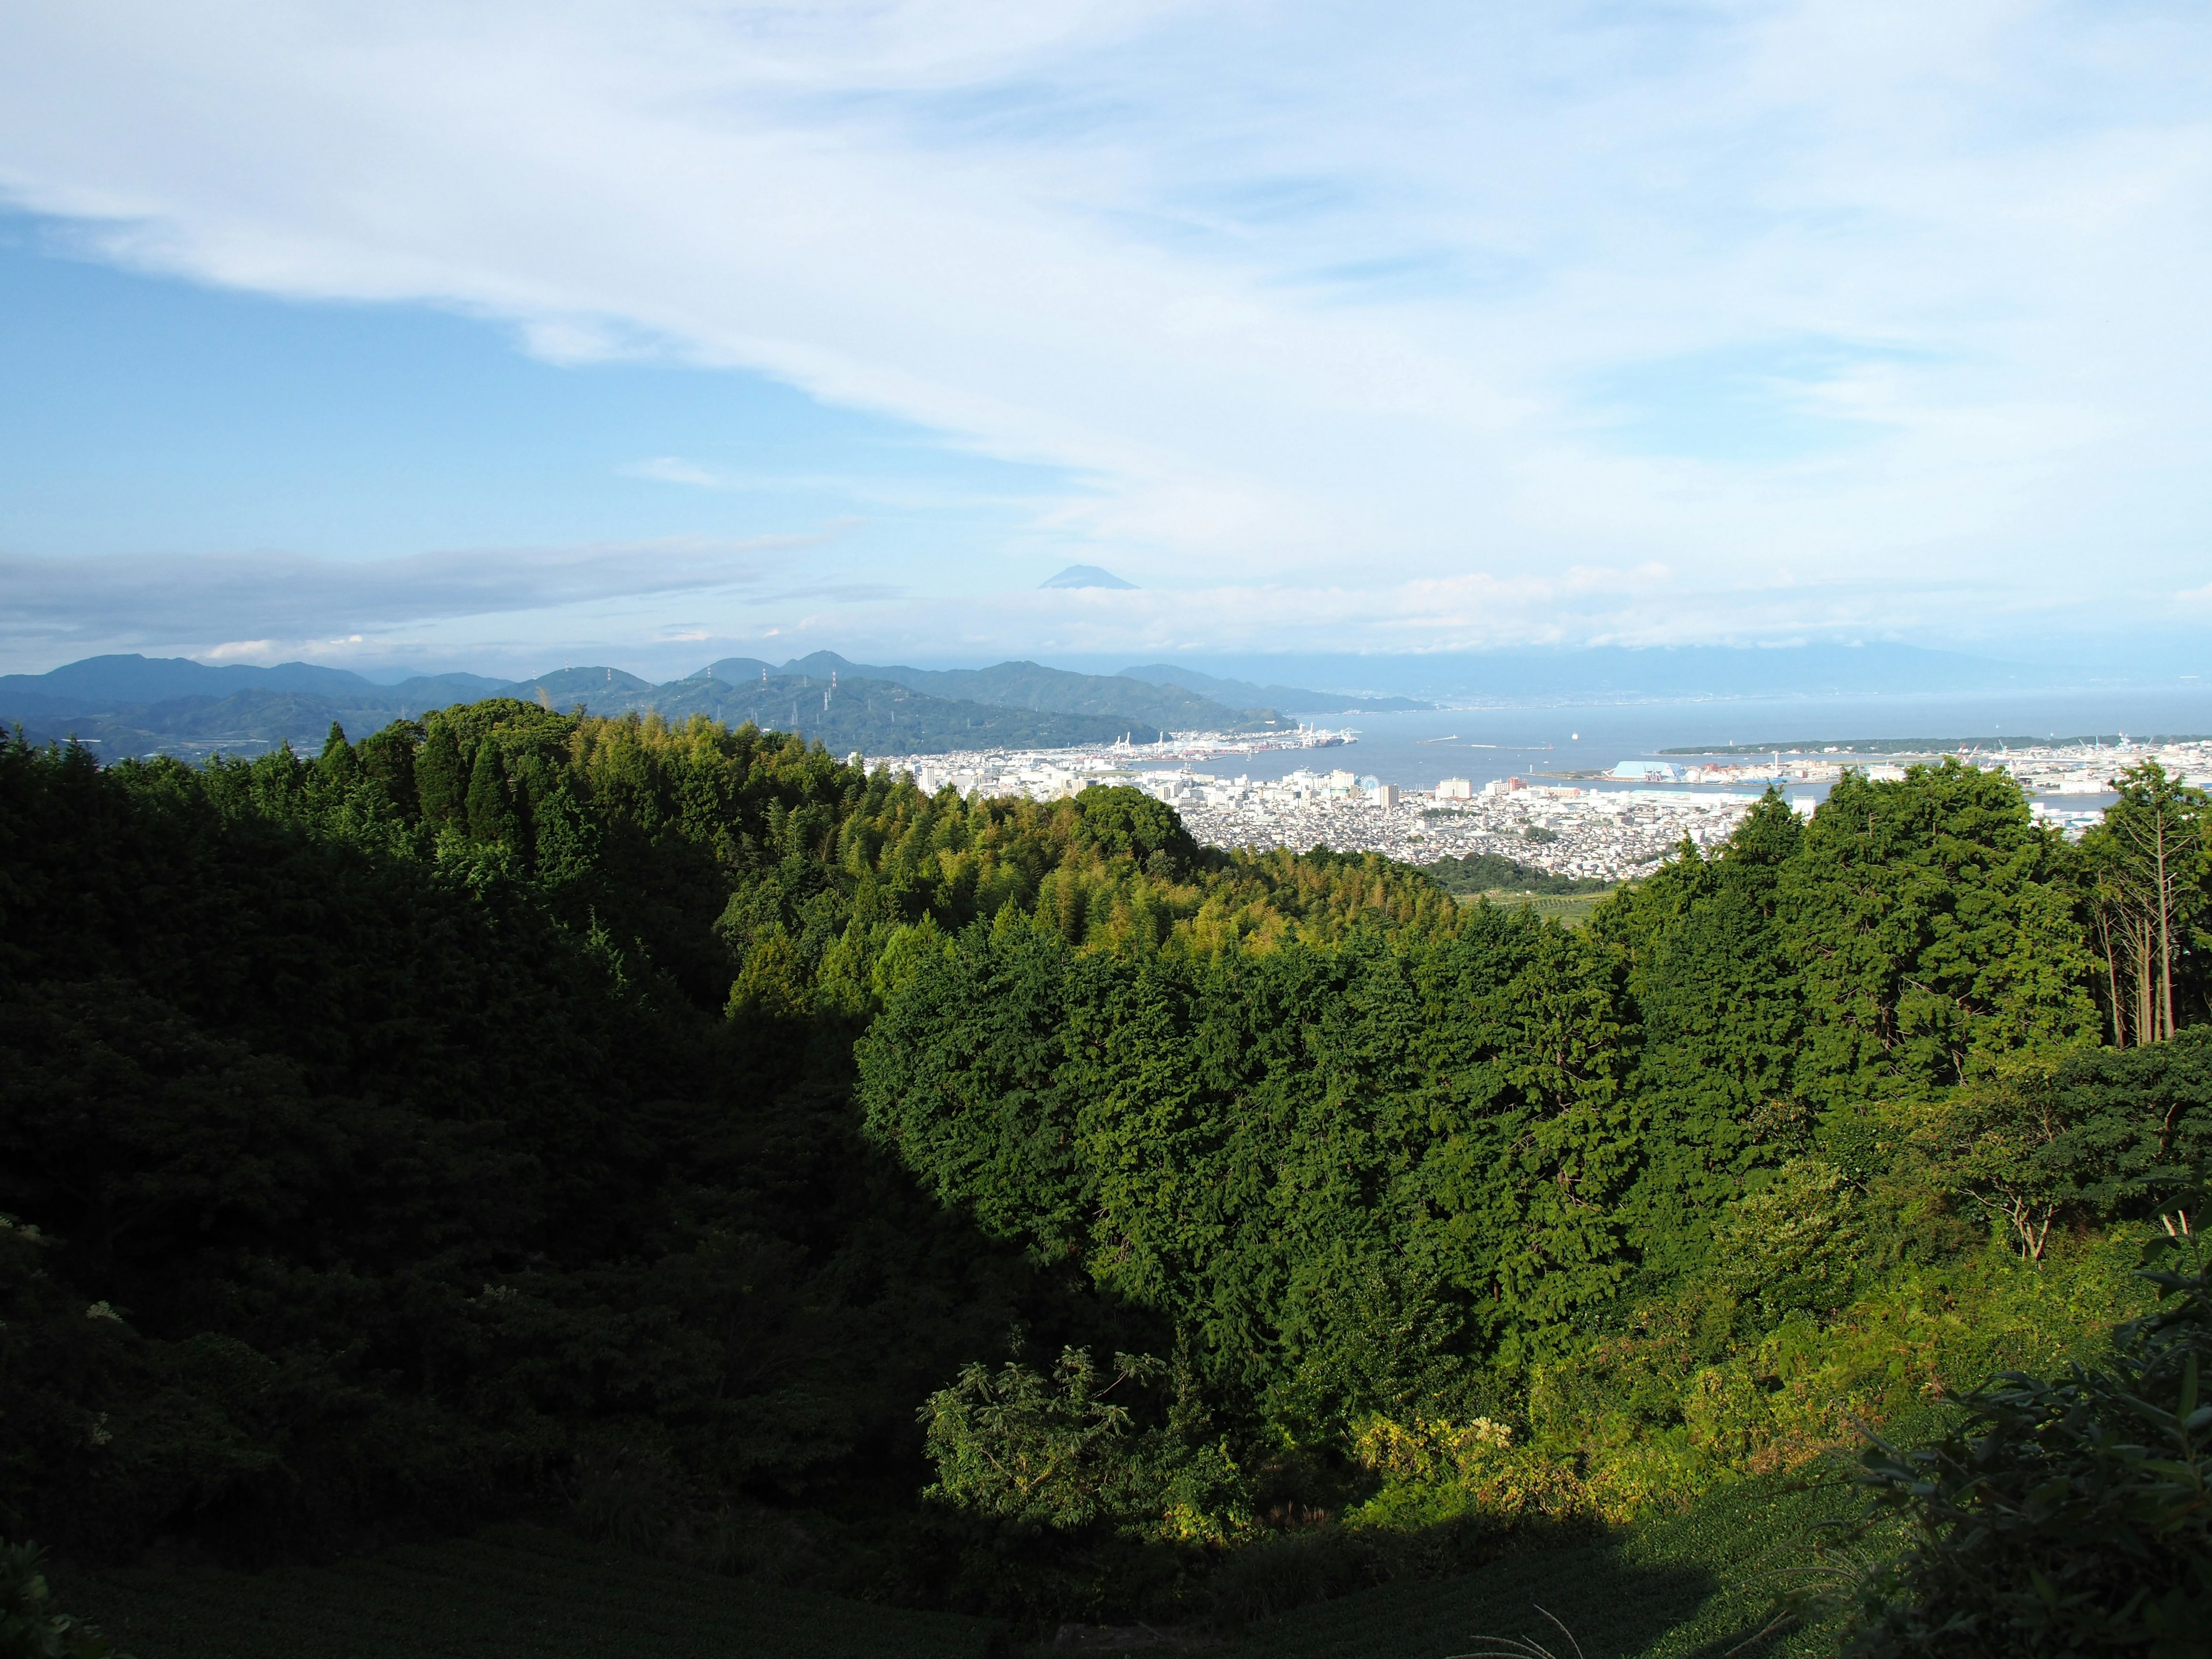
column 140, row 707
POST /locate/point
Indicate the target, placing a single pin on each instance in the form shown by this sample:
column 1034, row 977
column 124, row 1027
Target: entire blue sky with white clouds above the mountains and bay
column 501, row 335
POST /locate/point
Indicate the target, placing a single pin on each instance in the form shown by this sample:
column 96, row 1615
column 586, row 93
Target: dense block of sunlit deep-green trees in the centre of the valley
column 1335, row 1171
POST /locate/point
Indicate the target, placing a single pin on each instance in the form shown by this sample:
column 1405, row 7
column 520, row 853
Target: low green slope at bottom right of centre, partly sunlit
column 1684, row 1587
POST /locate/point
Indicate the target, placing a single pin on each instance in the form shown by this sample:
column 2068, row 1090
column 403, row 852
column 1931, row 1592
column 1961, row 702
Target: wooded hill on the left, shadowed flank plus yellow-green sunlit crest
column 474, row 1098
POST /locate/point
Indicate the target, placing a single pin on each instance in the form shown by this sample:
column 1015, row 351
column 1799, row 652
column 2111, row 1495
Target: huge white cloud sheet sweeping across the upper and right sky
column 1304, row 295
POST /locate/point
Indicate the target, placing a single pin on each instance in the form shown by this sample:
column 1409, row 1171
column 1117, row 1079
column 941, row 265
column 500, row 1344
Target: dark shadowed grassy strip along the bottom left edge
column 499, row 1596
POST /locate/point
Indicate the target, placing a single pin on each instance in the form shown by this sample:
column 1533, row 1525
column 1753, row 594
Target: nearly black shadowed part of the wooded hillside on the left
column 382, row 1162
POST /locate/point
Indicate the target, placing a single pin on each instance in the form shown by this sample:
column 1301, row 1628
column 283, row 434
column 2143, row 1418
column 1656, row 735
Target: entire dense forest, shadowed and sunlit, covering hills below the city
column 1014, row 1207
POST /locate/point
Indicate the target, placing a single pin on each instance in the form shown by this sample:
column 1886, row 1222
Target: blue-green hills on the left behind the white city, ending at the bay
column 145, row 707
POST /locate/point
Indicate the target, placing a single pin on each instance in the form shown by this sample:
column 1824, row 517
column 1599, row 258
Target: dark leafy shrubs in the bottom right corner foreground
column 2065, row 1516
